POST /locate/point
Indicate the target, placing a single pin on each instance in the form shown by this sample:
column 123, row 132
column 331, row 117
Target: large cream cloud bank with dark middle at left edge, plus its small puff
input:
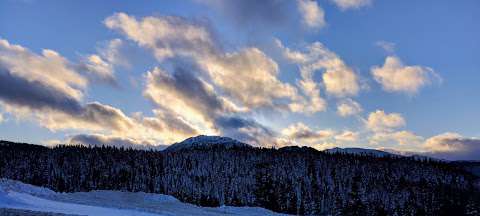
column 49, row 89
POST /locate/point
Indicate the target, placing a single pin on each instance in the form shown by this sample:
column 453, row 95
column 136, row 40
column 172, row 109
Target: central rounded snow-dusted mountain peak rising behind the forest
column 203, row 141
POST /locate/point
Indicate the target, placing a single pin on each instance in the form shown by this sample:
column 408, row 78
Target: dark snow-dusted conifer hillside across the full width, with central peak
column 292, row 180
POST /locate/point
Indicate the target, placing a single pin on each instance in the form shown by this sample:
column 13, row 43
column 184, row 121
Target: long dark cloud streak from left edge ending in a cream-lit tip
column 37, row 96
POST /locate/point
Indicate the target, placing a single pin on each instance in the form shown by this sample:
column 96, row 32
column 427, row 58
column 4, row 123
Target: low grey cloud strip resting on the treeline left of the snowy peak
column 102, row 140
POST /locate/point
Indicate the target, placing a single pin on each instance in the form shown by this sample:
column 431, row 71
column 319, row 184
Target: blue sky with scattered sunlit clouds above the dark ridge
column 394, row 75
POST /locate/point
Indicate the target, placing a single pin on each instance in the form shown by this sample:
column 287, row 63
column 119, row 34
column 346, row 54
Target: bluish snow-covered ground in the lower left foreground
column 16, row 195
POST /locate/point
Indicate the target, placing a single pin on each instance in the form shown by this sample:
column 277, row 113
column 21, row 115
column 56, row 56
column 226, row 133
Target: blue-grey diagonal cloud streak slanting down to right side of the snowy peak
column 192, row 91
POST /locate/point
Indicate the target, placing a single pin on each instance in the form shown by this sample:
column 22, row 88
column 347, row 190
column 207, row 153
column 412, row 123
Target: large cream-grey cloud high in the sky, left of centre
column 166, row 36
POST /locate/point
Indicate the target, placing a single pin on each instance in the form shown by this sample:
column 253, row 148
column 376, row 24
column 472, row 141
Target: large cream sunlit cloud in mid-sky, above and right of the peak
column 249, row 76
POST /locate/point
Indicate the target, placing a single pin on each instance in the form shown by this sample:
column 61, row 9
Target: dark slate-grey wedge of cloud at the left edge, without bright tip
column 35, row 95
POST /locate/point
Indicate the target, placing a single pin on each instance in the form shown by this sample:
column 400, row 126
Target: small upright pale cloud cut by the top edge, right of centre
column 312, row 14
